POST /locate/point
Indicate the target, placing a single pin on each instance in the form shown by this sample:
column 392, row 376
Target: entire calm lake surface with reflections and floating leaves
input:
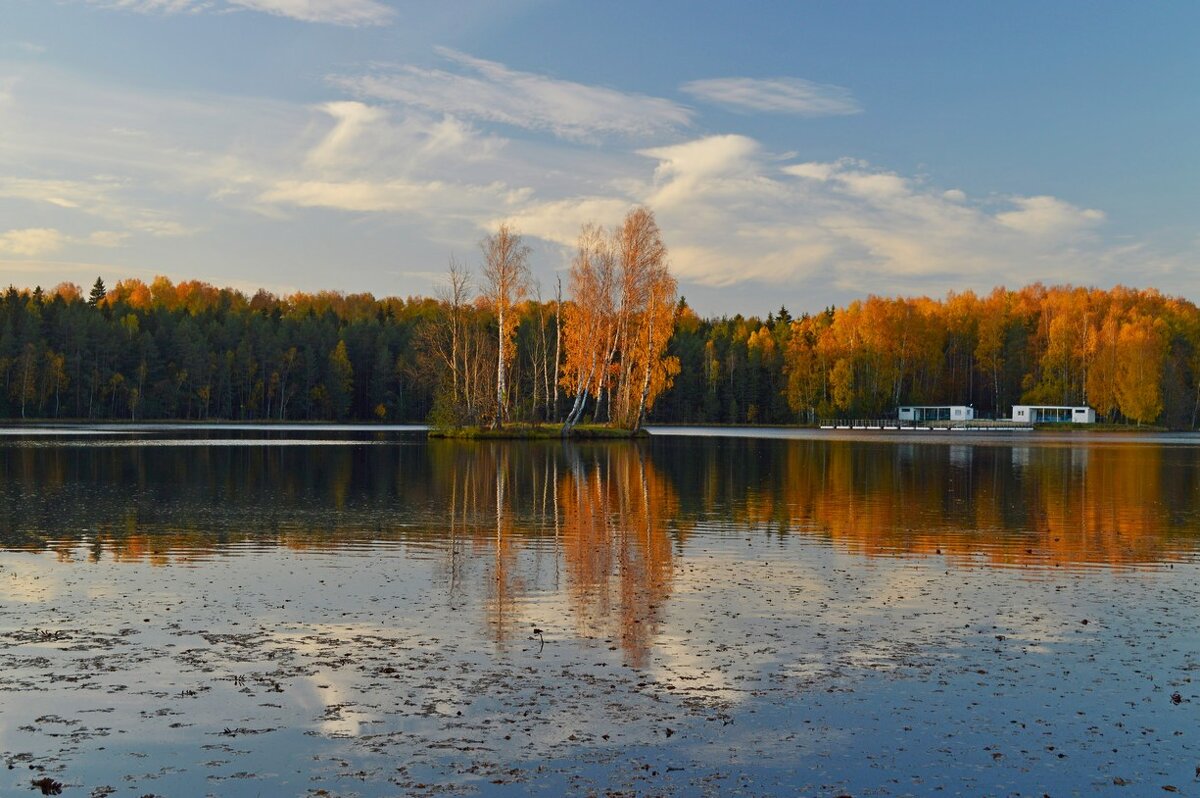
column 241, row 611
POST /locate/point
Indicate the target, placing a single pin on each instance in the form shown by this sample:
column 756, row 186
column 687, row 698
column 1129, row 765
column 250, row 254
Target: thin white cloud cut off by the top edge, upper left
column 334, row 13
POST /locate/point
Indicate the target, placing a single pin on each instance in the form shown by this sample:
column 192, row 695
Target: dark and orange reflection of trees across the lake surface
column 601, row 529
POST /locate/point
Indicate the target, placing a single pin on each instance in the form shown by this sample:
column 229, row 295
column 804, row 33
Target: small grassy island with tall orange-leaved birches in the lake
column 610, row 347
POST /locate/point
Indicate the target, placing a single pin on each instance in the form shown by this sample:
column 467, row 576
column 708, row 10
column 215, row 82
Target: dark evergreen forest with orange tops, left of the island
column 191, row 351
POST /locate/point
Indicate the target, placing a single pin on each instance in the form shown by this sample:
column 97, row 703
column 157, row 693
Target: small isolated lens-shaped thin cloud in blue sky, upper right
column 776, row 95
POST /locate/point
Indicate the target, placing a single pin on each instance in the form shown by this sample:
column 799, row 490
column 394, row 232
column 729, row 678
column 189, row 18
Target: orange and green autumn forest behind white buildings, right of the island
column 1135, row 356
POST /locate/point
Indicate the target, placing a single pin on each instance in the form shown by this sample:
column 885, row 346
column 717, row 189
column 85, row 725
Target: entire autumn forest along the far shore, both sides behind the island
column 191, row 351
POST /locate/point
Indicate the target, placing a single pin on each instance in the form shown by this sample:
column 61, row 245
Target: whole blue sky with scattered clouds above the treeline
column 795, row 153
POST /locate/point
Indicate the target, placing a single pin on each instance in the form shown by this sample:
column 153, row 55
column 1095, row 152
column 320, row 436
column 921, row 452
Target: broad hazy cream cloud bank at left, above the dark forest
column 152, row 166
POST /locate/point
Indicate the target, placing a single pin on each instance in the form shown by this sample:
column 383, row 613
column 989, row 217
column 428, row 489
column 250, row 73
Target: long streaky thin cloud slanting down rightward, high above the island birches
column 491, row 92
